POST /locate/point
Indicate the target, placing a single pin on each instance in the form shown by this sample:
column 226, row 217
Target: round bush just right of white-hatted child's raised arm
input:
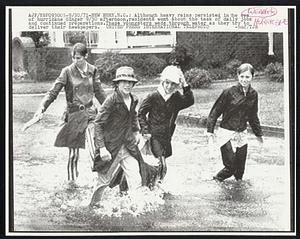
column 198, row 78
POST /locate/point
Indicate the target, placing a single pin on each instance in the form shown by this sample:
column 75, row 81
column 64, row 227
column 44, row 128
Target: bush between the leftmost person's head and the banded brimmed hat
column 108, row 63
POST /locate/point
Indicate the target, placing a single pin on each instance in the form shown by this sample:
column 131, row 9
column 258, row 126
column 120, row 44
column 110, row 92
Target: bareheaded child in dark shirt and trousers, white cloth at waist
column 237, row 105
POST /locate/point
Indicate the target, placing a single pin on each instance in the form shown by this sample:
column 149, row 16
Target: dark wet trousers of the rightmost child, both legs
column 234, row 162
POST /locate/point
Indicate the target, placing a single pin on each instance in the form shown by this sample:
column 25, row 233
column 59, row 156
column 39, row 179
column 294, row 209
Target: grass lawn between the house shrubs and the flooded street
column 271, row 97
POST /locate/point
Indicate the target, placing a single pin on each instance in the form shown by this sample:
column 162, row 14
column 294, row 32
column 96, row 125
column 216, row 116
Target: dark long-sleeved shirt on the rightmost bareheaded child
column 236, row 109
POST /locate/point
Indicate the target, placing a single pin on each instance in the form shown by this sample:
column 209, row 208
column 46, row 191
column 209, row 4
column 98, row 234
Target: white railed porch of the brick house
column 125, row 42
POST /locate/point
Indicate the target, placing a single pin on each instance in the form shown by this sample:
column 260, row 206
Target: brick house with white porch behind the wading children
column 208, row 50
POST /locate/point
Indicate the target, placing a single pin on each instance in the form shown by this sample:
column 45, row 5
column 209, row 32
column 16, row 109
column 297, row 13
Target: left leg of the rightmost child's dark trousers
column 228, row 157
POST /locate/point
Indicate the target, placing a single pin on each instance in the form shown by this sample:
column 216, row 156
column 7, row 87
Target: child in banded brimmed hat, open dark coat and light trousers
column 118, row 158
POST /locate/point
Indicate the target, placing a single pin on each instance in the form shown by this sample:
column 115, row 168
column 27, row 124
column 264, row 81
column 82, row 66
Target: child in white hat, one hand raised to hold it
column 159, row 110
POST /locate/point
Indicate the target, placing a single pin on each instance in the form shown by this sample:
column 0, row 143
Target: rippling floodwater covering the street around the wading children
column 188, row 199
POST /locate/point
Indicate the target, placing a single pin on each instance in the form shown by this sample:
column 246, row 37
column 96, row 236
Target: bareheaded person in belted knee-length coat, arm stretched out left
column 81, row 84
